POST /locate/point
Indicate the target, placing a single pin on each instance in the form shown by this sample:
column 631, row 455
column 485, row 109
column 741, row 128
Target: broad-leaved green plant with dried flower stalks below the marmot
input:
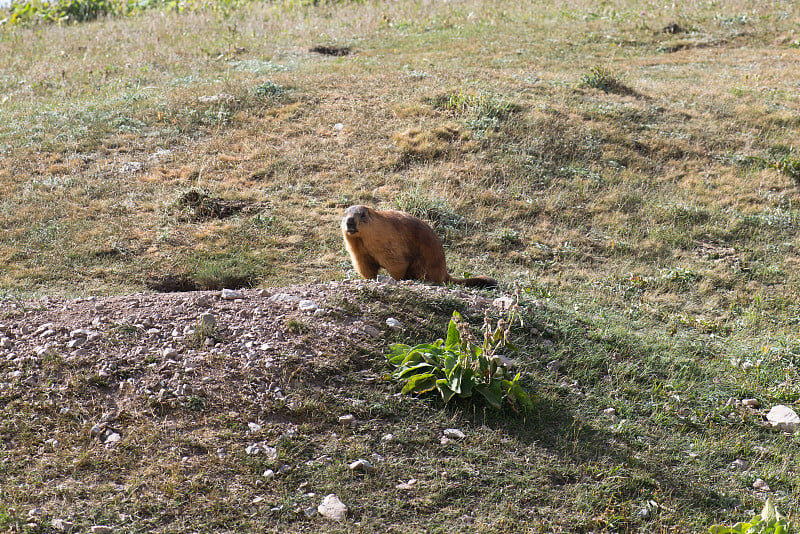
column 459, row 366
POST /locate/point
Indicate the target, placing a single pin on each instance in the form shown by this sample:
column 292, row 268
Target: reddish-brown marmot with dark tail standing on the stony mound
column 400, row 243
